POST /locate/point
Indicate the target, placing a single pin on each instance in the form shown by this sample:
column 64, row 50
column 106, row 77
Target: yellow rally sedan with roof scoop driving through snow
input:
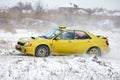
column 64, row 41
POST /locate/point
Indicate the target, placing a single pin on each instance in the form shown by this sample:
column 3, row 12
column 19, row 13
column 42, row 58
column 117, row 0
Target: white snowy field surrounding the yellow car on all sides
column 15, row 66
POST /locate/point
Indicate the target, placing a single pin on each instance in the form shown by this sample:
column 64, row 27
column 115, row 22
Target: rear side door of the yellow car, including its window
column 82, row 41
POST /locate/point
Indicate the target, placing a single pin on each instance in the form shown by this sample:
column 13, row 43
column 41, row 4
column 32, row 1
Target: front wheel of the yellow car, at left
column 42, row 51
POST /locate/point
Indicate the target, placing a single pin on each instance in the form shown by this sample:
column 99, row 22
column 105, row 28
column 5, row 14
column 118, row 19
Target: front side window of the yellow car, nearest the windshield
column 67, row 35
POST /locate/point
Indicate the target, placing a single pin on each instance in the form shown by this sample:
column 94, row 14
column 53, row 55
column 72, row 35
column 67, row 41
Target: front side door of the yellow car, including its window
column 65, row 43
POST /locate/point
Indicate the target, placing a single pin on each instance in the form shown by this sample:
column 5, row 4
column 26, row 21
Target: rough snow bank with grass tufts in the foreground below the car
column 56, row 68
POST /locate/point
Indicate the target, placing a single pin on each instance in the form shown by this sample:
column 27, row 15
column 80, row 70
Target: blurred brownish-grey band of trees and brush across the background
column 70, row 16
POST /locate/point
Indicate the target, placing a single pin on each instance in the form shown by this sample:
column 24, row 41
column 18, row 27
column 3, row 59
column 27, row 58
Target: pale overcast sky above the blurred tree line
column 108, row 4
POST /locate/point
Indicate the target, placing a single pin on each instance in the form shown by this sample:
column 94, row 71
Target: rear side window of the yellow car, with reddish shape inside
column 81, row 35
